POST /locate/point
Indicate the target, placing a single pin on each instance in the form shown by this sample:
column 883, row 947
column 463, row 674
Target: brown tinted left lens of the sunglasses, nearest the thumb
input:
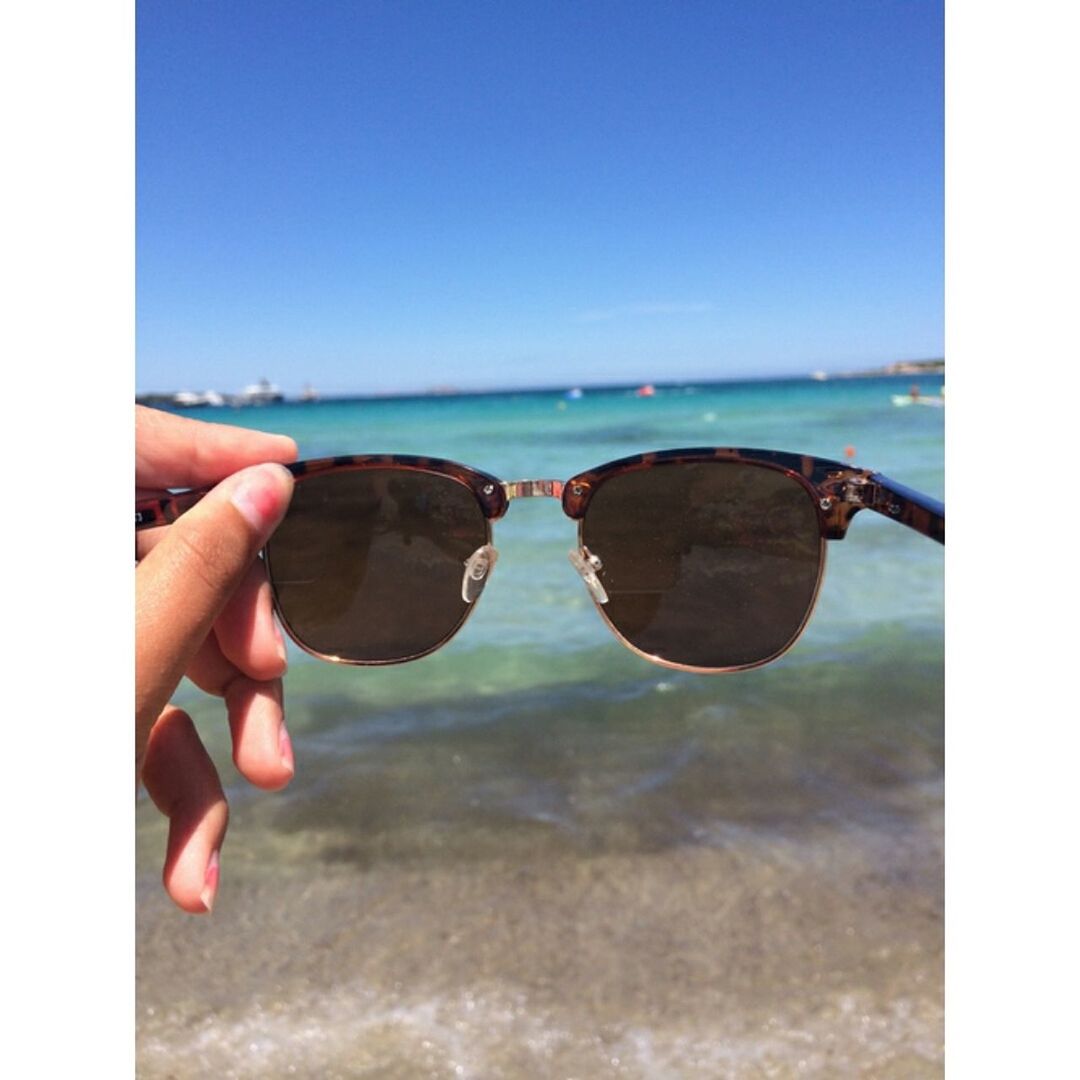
column 369, row 564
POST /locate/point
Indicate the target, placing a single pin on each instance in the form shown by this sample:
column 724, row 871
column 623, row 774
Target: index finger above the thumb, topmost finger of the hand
column 178, row 452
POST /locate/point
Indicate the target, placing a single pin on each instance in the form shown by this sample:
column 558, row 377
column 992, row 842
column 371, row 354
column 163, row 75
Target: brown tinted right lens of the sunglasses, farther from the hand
column 710, row 564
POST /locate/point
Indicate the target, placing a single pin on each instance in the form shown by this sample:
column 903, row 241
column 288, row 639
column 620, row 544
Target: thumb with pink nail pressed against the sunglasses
column 182, row 586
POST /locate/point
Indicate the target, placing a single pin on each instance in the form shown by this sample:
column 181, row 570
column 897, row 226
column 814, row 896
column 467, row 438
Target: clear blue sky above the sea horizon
column 389, row 197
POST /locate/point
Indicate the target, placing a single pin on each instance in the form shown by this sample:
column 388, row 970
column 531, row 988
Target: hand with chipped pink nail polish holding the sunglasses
column 204, row 610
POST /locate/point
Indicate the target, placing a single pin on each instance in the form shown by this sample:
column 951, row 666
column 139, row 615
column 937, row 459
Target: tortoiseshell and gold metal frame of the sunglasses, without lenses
column 839, row 492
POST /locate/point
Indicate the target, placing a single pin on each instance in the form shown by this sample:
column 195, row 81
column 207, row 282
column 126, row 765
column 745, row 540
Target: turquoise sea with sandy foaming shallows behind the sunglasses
column 534, row 854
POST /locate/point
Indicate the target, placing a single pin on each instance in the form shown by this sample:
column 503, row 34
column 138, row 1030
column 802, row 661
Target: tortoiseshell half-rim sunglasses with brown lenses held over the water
column 699, row 560
